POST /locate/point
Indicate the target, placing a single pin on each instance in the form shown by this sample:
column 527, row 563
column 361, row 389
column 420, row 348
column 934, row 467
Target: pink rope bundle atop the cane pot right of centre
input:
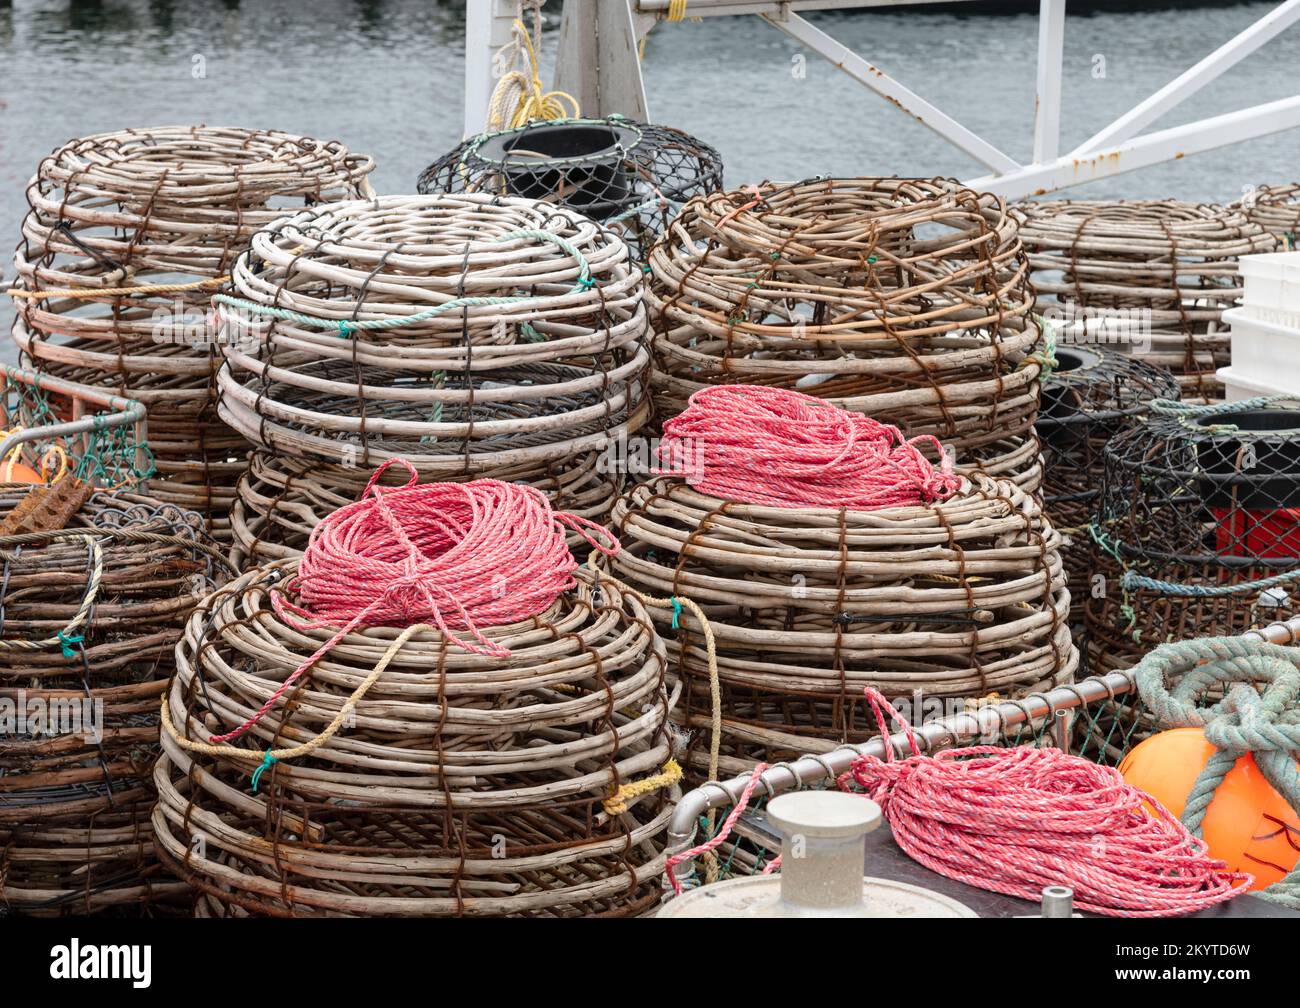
column 781, row 448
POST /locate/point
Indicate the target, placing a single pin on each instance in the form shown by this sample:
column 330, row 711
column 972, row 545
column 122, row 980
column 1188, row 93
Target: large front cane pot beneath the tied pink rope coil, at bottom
column 463, row 786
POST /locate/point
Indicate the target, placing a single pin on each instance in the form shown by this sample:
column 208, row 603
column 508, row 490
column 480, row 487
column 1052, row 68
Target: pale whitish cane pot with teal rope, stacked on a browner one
column 473, row 335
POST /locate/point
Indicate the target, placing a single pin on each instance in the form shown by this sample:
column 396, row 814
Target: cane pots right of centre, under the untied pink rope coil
column 960, row 602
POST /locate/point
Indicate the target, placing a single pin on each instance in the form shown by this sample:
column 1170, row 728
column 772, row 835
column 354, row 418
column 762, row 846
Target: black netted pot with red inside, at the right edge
column 1198, row 529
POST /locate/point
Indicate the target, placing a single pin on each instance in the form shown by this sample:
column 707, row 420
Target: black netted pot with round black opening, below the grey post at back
column 631, row 176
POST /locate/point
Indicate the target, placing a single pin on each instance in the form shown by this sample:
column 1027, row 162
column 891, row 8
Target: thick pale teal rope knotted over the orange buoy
column 1259, row 715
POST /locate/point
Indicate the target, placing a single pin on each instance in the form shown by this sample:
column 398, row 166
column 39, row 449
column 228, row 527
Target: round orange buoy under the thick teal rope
column 1249, row 824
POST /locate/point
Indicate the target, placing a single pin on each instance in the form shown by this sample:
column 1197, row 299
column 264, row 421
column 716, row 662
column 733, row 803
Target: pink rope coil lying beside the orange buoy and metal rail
column 1017, row 820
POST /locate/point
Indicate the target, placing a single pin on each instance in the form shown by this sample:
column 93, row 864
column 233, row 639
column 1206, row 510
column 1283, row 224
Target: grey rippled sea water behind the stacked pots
column 387, row 77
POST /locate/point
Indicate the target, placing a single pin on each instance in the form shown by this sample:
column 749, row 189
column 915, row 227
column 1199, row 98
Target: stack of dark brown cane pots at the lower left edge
column 90, row 618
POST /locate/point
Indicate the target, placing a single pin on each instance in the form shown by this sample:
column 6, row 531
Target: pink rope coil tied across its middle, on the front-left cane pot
column 460, row 556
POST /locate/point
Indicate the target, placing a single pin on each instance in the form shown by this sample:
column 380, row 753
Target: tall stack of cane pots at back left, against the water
column 128, row 236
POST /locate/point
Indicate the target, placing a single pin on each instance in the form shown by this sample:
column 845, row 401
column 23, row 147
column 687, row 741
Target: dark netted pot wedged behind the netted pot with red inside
column 1091, row 396
